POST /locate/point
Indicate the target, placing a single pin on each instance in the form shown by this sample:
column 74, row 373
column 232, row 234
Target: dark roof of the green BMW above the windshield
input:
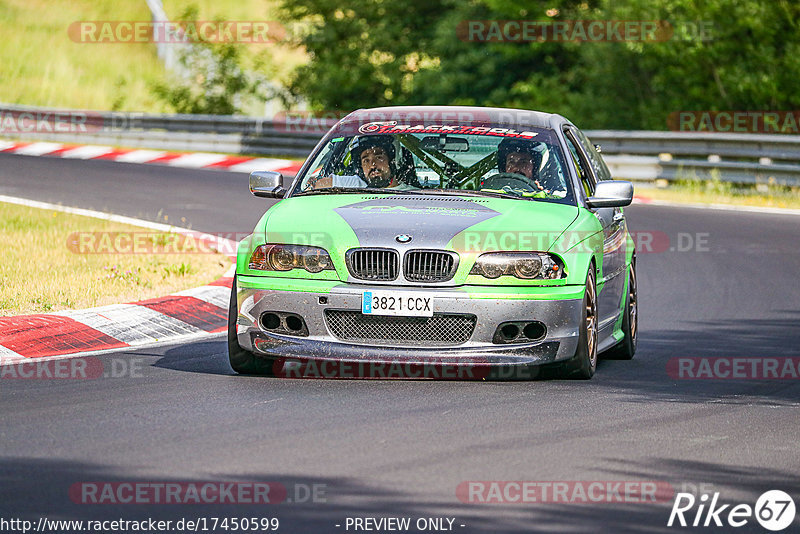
column 457, row 114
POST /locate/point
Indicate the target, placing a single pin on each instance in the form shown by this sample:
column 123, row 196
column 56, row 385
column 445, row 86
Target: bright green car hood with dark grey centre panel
column 460, row 223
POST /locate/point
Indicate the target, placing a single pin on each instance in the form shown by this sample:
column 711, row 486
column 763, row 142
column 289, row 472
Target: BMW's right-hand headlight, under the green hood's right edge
column 524, row 265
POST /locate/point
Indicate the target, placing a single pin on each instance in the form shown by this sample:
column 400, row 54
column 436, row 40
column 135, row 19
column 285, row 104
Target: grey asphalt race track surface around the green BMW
column 401, row 448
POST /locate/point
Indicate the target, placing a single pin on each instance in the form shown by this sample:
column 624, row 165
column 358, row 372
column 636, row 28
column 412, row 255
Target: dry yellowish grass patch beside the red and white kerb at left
column 43, row 270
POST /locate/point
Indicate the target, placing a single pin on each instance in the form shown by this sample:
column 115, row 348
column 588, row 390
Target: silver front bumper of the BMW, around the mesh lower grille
column 558, row 308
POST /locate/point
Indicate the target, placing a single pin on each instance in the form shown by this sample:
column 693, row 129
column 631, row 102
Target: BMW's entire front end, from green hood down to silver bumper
column 360, row 296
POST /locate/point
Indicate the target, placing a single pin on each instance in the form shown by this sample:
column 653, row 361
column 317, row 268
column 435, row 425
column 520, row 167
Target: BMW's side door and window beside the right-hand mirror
column 611, row 279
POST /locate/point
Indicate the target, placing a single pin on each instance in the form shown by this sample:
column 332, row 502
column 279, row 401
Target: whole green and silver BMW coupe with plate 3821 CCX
column 433, row 242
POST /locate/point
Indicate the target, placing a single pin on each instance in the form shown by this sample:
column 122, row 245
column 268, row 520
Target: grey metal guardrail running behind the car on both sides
column 634, row 155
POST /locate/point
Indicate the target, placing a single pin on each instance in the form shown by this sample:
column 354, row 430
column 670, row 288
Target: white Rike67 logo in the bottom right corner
column 774, row 510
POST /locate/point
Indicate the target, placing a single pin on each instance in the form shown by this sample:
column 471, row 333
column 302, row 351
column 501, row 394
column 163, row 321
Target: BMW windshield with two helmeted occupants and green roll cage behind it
column 526, row 165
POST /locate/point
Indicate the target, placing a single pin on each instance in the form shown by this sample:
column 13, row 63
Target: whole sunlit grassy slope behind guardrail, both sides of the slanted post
column 42, row 66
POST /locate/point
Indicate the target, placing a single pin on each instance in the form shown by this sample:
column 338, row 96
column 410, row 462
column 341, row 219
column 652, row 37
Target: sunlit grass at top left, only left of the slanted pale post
column 42, row 66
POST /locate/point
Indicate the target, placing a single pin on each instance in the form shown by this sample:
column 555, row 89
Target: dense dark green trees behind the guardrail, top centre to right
column 723, row 54
